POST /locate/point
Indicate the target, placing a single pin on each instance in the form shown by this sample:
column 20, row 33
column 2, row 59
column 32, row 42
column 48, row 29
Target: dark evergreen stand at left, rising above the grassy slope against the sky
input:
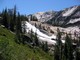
column 12, row 20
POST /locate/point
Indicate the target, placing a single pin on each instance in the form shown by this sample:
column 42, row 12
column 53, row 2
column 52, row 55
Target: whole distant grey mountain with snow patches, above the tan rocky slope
column 61, row 18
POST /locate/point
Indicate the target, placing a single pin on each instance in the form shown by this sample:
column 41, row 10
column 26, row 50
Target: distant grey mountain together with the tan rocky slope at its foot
column 67, row 20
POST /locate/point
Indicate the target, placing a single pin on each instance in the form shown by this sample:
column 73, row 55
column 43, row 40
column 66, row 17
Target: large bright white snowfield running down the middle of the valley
column 41, row 36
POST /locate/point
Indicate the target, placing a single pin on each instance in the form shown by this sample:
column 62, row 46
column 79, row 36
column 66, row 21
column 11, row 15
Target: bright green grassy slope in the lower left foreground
column 9, row 50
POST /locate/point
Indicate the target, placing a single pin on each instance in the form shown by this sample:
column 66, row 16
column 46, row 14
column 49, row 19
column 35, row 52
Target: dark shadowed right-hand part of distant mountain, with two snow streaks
column 67, row 16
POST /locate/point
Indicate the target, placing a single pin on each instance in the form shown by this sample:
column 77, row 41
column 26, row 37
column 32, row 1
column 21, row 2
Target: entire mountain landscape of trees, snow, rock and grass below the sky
column 41, row 36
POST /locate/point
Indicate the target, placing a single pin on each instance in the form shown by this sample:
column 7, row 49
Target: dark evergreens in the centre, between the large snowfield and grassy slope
column 34, row 42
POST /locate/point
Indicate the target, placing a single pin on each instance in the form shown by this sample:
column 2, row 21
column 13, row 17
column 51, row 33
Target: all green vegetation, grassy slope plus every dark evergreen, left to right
column 16, row 44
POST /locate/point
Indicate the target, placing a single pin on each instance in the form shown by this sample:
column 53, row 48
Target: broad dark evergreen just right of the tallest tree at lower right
column 68, row 49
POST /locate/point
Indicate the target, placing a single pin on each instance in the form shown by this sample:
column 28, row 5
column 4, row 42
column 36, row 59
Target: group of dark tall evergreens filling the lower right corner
column 70, row 50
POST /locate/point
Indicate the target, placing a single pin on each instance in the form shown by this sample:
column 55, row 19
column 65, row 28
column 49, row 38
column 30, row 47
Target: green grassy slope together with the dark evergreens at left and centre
column 14, row 44
